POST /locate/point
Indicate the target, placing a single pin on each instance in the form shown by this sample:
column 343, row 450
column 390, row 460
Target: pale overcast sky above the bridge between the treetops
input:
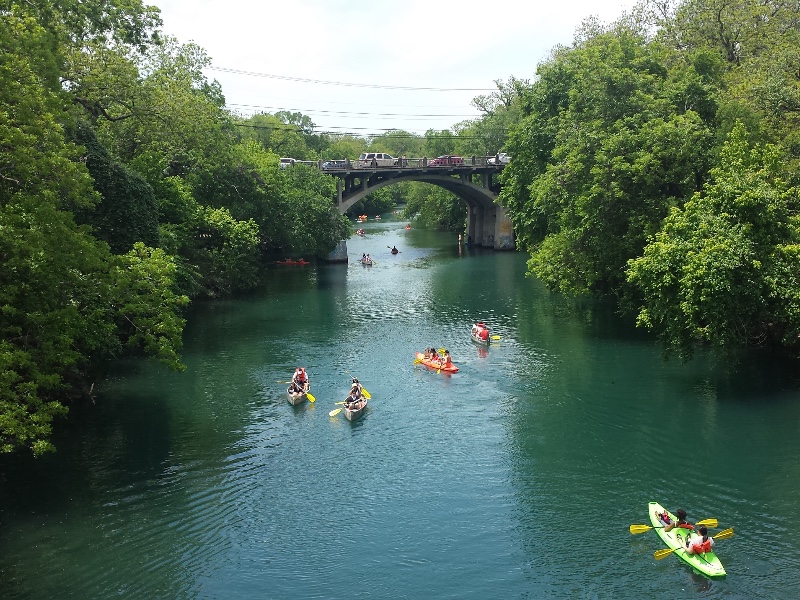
column 364, row 67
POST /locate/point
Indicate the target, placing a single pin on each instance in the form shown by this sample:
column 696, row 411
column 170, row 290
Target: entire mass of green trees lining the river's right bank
column 656, row 160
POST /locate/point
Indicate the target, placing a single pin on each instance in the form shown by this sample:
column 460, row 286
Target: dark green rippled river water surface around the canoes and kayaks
column 515, row 478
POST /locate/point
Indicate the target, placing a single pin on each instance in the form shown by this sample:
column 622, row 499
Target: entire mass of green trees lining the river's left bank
column 127, row 189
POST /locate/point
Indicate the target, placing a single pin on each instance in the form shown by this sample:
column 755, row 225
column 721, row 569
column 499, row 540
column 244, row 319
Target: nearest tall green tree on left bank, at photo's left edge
column 57, row 282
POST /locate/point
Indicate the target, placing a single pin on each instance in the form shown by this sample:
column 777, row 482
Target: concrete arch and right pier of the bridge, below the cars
column 487, row 223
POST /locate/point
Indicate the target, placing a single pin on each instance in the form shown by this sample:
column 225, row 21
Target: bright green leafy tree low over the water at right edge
column 724, row 269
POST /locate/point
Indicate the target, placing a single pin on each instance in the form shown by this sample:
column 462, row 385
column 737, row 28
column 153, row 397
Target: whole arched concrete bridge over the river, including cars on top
column 473, row 179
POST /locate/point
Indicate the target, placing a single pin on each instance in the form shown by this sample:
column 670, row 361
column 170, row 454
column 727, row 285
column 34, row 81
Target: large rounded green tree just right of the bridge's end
column 603, row 155
